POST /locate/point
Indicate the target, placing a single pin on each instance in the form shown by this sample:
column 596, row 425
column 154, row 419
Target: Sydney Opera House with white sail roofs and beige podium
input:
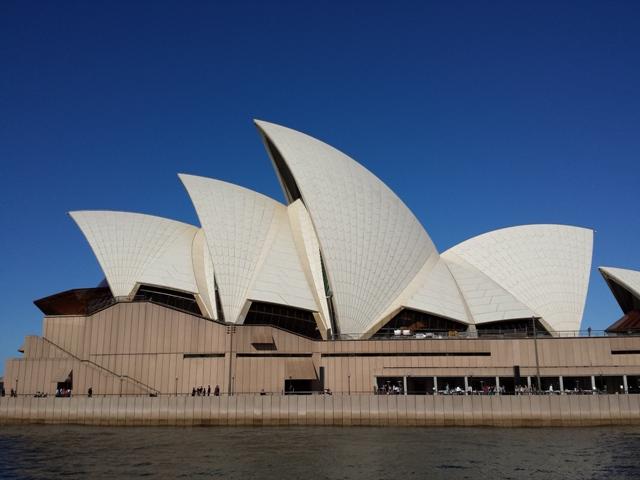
column 339, row 289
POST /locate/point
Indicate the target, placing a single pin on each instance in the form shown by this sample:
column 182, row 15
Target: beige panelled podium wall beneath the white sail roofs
column 137, row 348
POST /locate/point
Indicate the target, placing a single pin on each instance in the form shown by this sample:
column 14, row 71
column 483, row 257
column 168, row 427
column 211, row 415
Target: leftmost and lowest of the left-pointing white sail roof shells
column 134, row 248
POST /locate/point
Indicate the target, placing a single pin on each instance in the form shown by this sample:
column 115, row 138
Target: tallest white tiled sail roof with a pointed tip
column 372, row 245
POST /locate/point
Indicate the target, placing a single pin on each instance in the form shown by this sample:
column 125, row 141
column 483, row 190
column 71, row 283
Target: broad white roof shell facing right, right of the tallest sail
column 545, row 267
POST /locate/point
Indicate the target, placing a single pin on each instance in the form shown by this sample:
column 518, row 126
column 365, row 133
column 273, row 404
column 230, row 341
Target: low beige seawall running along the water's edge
column 397, row 410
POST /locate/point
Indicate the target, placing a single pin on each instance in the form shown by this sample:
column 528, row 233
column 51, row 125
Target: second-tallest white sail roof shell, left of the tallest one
column 251, row 246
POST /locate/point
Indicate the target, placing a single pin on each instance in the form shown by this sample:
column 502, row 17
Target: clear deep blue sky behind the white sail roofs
column 480, row 115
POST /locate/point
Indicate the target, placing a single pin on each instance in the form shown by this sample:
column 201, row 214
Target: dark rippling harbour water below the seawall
column 318, row 452
